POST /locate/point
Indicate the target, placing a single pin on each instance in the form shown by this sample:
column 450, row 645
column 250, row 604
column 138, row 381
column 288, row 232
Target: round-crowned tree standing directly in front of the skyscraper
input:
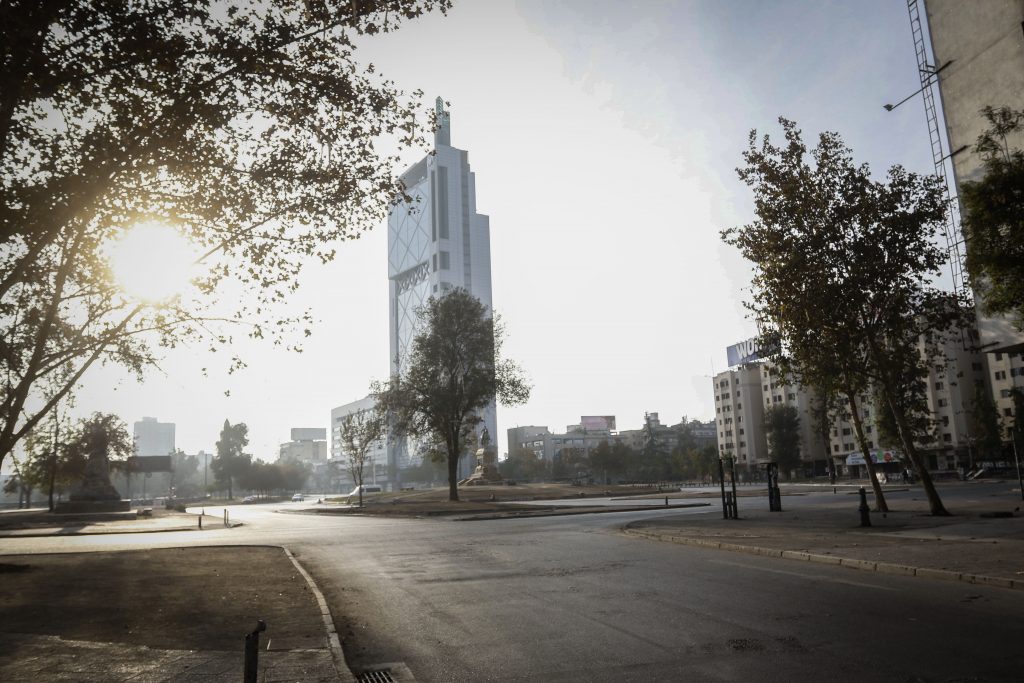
column 453, row 372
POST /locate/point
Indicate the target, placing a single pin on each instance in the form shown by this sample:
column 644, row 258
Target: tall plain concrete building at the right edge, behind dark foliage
column 980, row 50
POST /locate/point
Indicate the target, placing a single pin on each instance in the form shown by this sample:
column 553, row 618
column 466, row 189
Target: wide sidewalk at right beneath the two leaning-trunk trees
column 969, row 546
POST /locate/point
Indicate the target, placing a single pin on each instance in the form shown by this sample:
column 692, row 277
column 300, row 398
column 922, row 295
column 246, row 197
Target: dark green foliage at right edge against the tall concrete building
column 994, row 218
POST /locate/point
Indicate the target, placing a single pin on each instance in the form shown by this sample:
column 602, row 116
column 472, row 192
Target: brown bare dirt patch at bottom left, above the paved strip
column 181, row 599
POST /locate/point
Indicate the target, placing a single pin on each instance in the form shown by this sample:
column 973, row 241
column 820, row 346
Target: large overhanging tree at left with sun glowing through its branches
column 248, row 130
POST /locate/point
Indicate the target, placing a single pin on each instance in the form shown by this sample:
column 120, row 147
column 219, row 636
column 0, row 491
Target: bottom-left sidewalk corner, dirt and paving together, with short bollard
column 163, row 616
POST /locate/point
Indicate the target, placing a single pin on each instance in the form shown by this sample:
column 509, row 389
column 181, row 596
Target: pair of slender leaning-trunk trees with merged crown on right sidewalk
column 841, row 266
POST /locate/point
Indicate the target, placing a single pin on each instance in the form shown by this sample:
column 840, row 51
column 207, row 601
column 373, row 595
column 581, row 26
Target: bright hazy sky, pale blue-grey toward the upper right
column 605, row 138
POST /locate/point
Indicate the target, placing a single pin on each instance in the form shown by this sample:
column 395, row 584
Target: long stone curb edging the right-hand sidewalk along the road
column 864, row 566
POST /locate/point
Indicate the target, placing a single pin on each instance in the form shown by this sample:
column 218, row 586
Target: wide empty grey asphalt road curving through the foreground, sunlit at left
column 572, row 600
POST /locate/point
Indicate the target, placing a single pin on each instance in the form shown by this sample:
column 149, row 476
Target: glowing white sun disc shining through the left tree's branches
column 153, row 263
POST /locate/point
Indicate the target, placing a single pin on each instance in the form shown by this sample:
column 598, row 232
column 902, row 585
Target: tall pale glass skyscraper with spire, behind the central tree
column 437, row 242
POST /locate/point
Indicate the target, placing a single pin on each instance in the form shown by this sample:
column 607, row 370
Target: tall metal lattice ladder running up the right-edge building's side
column 929, row 80
